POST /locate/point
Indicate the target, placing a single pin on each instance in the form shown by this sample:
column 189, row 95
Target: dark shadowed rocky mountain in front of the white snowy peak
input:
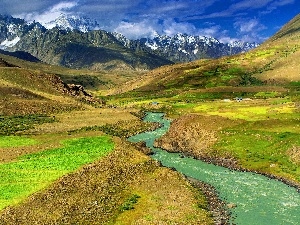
column 93, row 50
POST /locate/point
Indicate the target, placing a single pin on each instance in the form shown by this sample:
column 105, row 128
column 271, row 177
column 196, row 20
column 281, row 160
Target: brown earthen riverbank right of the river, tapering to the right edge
column 197, row 136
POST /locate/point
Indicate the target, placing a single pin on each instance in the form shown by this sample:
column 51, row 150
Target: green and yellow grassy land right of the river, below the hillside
column 262, row 129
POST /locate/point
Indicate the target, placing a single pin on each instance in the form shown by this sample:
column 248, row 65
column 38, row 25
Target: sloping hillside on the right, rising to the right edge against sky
column 274, row 62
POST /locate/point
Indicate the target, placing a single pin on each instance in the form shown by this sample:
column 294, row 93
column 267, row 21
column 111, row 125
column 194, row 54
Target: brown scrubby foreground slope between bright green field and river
column 124, row 187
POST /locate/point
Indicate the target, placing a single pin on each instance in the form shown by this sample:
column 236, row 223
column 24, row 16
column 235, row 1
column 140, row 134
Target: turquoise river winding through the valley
column 259, row 200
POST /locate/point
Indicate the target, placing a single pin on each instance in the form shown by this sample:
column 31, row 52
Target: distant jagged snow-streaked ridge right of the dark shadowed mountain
column 184, row 48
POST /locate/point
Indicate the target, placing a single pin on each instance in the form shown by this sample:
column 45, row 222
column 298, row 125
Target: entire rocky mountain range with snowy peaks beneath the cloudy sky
column 77, row 42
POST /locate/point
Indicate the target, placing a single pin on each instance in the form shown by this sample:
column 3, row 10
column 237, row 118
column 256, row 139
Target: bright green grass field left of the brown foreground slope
column 33, row 172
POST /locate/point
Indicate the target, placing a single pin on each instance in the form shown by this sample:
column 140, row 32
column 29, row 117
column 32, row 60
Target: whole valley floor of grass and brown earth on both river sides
column 261, row 133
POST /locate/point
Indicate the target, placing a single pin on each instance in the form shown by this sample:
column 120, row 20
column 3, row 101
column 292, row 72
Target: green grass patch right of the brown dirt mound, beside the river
column 262, row 151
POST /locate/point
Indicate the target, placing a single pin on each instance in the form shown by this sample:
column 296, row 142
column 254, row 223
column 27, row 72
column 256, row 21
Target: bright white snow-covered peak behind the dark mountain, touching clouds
column 65, row 22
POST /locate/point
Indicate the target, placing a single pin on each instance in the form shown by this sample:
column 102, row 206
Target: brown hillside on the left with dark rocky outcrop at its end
column 33, row 91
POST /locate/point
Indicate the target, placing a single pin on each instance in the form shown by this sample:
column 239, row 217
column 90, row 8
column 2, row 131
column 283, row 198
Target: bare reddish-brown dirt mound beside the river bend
column 194, row 135
